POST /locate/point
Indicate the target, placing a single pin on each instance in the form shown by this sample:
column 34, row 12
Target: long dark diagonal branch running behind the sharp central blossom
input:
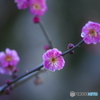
column 38, row 68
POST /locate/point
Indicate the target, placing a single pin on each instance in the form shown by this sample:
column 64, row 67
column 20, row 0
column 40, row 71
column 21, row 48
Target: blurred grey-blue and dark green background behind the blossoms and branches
column 63, row 21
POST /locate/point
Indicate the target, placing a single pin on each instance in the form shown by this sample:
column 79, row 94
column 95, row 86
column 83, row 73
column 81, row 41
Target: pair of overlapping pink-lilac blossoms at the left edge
column 8, row 61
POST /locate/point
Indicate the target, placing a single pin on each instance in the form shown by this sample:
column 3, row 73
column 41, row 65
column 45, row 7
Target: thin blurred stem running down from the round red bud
column 46, row 34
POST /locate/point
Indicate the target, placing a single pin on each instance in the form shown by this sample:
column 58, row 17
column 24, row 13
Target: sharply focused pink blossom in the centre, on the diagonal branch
column 52, row 60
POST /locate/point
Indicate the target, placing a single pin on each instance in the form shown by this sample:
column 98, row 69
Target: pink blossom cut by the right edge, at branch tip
column 91, row 32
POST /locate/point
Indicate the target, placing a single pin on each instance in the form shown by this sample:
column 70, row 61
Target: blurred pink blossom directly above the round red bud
column 38, row 7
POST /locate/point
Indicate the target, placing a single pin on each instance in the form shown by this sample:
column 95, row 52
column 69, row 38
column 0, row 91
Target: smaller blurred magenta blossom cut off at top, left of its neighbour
column 22, row 4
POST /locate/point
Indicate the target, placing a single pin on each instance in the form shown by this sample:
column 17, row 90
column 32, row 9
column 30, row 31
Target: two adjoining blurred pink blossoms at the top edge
column 37, row 7
